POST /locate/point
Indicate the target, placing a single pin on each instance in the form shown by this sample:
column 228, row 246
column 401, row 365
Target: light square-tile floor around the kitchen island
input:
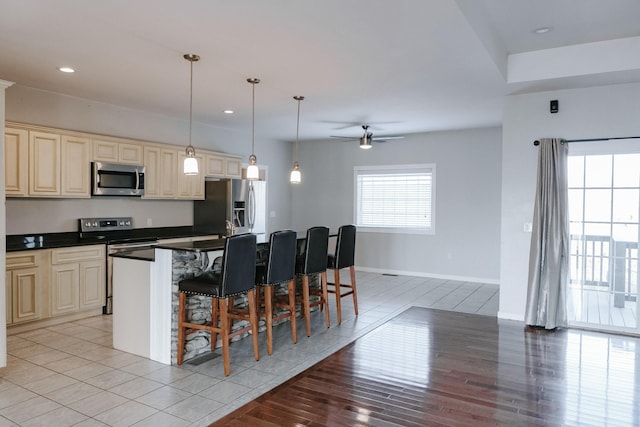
column 69, row 375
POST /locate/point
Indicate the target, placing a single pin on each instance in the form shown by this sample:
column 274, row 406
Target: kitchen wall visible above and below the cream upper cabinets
column 27, row 105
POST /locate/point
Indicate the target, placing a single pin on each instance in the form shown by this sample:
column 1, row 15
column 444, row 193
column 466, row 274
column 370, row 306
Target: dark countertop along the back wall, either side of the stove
column 22, row 242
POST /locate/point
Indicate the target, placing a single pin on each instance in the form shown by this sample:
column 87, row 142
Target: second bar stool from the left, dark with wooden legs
column 279, row 269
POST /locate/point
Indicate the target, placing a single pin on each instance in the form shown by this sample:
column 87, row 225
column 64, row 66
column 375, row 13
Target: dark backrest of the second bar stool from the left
column 281, row 265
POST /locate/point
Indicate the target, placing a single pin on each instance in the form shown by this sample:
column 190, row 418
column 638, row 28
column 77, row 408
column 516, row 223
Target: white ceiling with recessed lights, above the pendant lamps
column 400, row 66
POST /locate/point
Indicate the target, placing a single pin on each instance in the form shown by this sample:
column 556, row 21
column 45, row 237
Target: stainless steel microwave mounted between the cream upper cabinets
column 111, row 179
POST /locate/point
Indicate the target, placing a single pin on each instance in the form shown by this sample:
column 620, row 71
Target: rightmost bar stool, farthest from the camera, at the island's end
column 343, row 258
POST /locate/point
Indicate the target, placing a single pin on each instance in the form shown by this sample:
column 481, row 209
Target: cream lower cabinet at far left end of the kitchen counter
column 24, row 286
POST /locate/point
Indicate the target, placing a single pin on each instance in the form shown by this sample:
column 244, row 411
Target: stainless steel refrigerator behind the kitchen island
column 241, row 202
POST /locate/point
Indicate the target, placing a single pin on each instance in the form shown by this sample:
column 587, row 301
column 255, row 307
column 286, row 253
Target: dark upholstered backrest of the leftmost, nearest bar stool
column 238, row 264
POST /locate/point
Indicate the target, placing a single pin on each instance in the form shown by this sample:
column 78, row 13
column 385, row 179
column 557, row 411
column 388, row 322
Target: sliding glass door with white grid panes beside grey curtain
column 604, row 211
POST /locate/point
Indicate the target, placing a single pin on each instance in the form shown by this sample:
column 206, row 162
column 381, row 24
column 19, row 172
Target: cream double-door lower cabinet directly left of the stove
column 77, row 279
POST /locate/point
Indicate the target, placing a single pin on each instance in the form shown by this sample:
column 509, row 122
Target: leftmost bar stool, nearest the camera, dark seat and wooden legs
column 236, row 276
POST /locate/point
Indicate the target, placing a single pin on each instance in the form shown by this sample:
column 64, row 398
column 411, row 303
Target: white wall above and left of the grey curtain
column 598, row 112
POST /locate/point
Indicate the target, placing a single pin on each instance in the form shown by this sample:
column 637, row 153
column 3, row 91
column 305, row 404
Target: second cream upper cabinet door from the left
column 44, row 164
